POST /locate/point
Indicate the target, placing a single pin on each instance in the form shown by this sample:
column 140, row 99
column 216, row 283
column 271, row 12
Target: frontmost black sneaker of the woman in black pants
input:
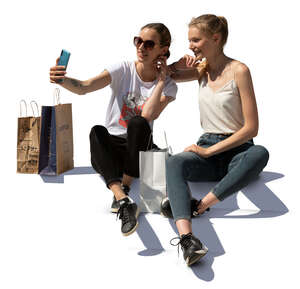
column 128, row 213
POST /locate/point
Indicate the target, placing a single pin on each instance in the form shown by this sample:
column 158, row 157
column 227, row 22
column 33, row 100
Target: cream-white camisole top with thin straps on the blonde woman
column 220, row 111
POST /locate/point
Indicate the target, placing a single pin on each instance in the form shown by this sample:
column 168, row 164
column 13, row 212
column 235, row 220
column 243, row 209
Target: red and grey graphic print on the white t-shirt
column 133, row 105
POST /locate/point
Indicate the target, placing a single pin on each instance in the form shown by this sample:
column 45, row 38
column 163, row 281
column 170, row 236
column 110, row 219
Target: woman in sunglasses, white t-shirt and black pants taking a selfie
column 141, row 90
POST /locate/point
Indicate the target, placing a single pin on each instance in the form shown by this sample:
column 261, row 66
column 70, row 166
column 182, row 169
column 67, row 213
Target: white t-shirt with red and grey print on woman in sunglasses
column 129, row 94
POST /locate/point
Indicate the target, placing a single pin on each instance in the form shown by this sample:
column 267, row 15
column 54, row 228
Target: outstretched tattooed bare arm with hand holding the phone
column 57, row 73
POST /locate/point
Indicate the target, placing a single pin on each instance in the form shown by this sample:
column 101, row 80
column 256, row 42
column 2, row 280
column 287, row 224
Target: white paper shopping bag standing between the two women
column 152, row 168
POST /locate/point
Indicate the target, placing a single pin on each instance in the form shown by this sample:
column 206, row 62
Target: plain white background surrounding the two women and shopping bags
column 61, row 235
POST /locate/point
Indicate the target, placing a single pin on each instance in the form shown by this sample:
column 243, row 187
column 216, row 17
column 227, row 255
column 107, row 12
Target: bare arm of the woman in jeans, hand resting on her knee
column 249, row 108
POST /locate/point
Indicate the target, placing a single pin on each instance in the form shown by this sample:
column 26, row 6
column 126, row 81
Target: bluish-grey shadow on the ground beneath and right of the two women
column 267, row 203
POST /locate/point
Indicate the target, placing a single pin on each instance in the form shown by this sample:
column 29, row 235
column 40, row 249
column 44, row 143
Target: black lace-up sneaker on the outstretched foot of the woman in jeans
column 193, row 250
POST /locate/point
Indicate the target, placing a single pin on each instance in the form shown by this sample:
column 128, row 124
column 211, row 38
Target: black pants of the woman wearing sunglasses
column 112, row 156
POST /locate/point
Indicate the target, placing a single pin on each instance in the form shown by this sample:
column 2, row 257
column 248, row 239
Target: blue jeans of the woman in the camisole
column 234, row 169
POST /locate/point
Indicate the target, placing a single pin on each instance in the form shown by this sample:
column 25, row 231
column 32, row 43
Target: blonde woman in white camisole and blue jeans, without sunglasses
column 228, row 115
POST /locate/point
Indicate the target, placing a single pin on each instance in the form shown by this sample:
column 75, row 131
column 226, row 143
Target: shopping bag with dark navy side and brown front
column 56, row 141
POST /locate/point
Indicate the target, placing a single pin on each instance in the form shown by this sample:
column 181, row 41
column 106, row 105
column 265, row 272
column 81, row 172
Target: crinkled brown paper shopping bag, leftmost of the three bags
column 28, row 141
